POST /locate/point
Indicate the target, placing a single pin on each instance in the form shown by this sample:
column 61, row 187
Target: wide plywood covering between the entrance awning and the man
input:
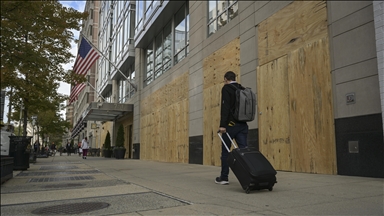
column 164, row 128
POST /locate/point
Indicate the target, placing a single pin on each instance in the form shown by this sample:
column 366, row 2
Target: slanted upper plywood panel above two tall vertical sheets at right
column 299, row 23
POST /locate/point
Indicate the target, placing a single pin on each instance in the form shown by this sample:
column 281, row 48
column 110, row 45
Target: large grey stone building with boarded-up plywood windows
column 315, row 67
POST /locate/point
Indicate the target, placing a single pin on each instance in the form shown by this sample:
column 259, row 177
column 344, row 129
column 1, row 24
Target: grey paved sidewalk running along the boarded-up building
column 100, row 186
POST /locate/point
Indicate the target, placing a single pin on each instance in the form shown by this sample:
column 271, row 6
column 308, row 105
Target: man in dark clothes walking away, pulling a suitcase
column 236, row 129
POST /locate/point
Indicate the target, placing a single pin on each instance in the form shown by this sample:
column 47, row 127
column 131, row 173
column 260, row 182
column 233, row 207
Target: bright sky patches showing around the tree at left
column 64, row 87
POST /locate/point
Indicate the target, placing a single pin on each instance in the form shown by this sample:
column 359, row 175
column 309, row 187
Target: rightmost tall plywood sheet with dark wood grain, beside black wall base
column 311, row 110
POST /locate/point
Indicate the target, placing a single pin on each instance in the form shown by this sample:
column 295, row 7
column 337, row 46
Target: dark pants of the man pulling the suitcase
column 239, row 132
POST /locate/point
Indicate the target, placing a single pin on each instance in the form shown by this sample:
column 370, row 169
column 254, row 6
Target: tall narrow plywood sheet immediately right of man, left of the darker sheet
column 273, row 108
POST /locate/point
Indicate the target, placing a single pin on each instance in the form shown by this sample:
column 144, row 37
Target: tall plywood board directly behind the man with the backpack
column 214, row 67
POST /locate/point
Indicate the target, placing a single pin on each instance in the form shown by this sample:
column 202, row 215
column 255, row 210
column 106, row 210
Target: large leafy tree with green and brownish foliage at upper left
column 35, row 42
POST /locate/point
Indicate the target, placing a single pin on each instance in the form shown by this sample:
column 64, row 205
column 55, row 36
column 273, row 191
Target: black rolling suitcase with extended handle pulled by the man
column 250, row 167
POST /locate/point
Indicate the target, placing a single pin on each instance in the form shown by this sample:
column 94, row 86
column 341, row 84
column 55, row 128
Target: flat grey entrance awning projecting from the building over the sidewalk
column 98, row 111
